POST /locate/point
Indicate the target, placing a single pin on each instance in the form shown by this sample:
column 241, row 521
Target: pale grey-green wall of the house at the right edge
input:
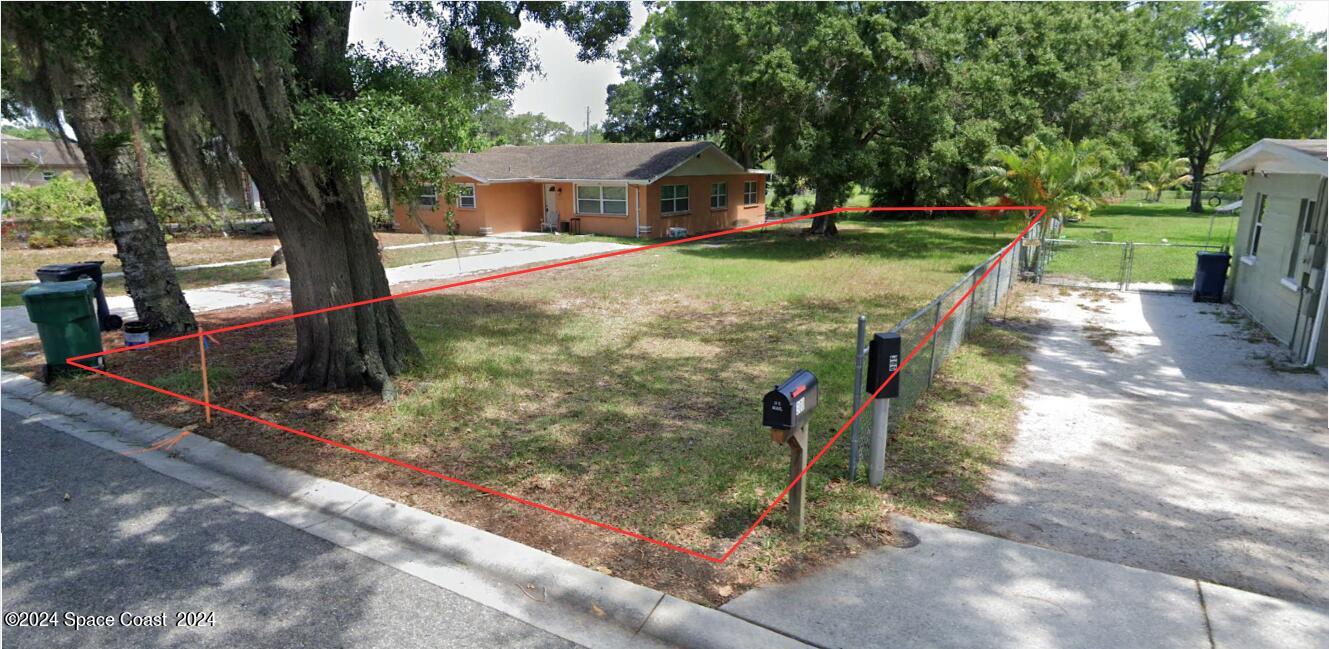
column 1261, row 283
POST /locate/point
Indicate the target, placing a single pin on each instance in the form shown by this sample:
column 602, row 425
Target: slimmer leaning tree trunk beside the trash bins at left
column 106, row 139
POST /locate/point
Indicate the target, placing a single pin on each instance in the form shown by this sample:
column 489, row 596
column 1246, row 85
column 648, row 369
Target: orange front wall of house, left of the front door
column 510, row 207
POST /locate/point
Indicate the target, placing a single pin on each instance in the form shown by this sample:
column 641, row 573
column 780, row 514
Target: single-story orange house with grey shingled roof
column 648, row 190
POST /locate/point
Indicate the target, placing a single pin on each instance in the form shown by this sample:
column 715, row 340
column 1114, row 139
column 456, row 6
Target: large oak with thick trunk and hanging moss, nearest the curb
column 308, row 115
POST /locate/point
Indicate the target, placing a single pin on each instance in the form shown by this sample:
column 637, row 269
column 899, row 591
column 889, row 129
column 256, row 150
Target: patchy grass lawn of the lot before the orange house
column 639, row 382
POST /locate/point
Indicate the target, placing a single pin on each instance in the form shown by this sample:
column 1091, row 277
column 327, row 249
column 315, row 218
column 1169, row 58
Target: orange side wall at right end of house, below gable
column 700, row 217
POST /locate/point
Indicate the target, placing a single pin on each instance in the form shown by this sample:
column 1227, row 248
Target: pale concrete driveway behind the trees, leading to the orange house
column 15, row 325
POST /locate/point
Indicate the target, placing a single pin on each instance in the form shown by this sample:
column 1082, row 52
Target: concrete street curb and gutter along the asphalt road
column 552, row 594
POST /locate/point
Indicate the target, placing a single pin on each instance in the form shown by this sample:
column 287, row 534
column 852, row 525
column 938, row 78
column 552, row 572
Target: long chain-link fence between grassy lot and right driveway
column 916, row 376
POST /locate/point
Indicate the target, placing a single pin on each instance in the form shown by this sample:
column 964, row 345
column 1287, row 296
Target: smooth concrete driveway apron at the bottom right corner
column 966, row 590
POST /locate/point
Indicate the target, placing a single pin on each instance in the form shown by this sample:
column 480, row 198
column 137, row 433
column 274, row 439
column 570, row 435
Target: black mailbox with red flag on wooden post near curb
column 786, row 410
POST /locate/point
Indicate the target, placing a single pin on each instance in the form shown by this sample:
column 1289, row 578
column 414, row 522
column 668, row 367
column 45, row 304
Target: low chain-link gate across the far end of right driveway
column 1124, row 267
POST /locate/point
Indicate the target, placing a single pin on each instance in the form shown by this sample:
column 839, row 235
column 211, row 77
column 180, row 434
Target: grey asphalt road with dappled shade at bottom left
column 88, row 533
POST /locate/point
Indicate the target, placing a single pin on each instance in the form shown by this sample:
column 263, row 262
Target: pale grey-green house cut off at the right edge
column 1279, row 273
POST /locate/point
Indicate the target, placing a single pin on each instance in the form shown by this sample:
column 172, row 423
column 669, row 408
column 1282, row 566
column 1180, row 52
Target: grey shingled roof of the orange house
column 639, row 163
